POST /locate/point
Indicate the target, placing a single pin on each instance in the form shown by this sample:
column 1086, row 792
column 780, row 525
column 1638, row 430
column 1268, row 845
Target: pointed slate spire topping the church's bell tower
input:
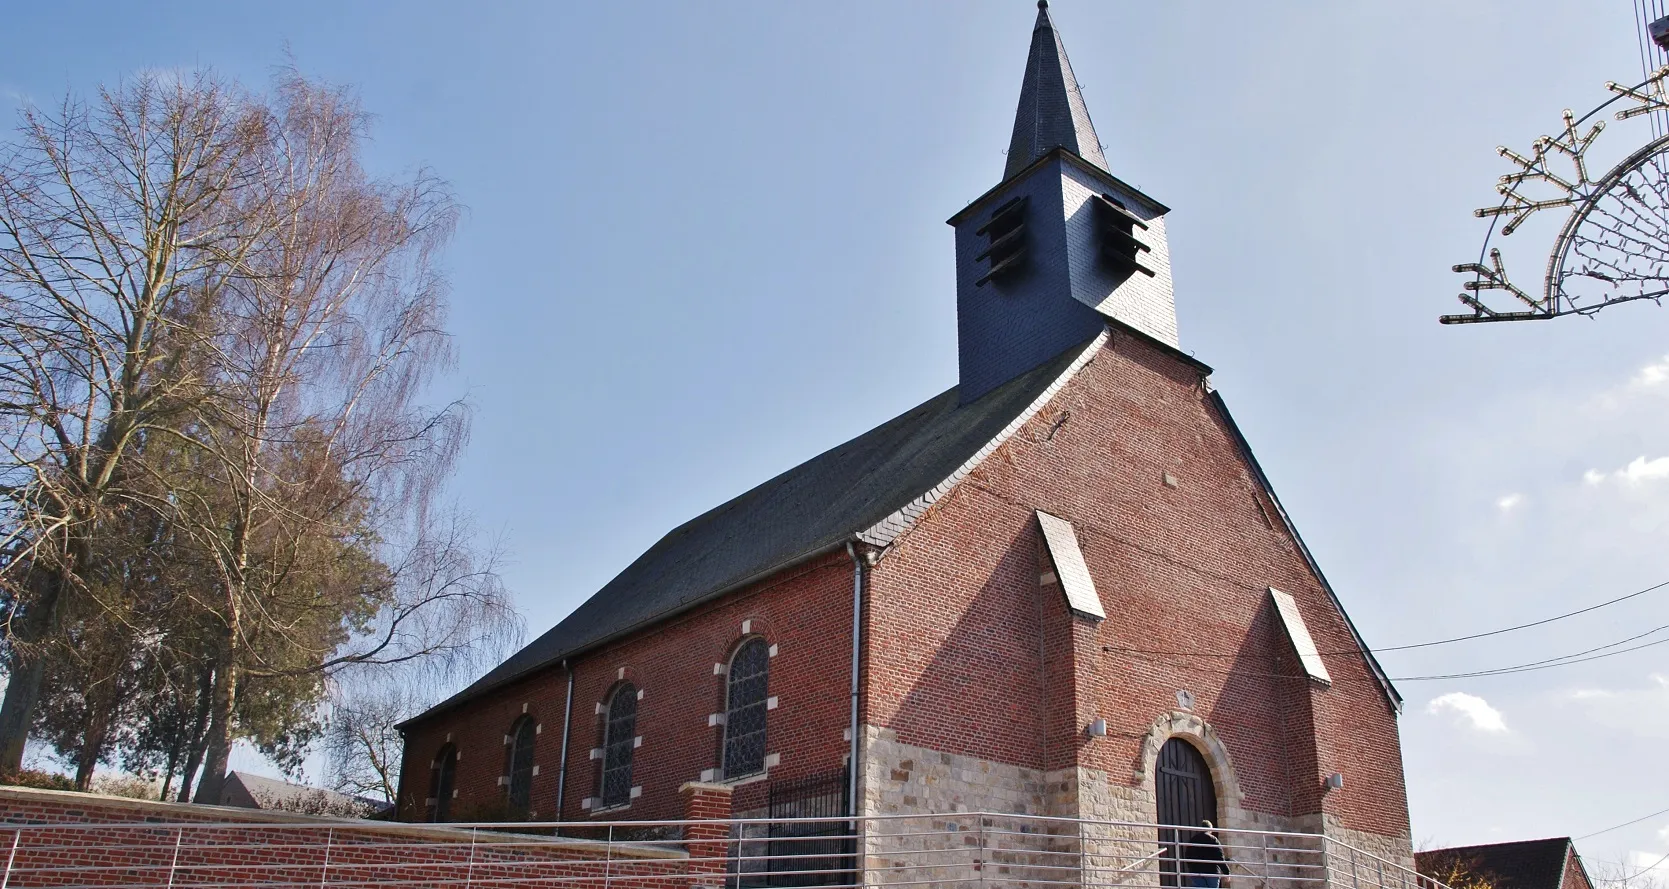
column 1052, row 109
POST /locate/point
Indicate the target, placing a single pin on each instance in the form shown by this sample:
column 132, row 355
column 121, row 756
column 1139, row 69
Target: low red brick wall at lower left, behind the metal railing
column 59, row 840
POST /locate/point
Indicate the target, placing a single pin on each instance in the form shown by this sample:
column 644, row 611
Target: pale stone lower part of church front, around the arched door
column 1106, row 820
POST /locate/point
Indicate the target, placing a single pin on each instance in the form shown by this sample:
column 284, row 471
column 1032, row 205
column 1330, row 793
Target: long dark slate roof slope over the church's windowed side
column 810, row 510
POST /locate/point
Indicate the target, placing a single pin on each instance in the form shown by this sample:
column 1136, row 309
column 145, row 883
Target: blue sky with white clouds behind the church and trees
column 707, row 243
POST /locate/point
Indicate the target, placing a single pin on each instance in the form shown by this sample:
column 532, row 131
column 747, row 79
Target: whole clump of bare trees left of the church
column 211, row 313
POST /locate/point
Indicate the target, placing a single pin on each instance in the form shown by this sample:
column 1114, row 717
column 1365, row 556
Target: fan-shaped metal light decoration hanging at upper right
column 1615, row 243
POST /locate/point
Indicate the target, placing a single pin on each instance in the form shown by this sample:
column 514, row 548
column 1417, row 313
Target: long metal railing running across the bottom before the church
column 964, row 851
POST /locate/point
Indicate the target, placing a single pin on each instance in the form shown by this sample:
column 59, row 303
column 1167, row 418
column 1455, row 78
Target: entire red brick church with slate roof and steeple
column 1061, row 588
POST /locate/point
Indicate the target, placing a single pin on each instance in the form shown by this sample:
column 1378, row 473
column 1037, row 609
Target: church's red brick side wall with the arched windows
column 805, row 613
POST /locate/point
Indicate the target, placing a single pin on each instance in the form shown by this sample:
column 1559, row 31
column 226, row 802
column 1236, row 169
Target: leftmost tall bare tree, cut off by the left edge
column 114, row 228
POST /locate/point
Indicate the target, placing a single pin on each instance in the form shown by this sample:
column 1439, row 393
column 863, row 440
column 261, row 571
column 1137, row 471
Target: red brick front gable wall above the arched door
column 961, row 631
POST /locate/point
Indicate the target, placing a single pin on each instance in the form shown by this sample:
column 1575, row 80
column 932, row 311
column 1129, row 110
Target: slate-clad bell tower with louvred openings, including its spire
column 1062, row 246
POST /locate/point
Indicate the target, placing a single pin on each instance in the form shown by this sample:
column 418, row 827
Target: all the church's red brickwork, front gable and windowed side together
column 966, row 651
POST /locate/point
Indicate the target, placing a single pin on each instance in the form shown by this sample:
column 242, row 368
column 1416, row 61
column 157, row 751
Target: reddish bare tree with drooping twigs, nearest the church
column 318, row 465
